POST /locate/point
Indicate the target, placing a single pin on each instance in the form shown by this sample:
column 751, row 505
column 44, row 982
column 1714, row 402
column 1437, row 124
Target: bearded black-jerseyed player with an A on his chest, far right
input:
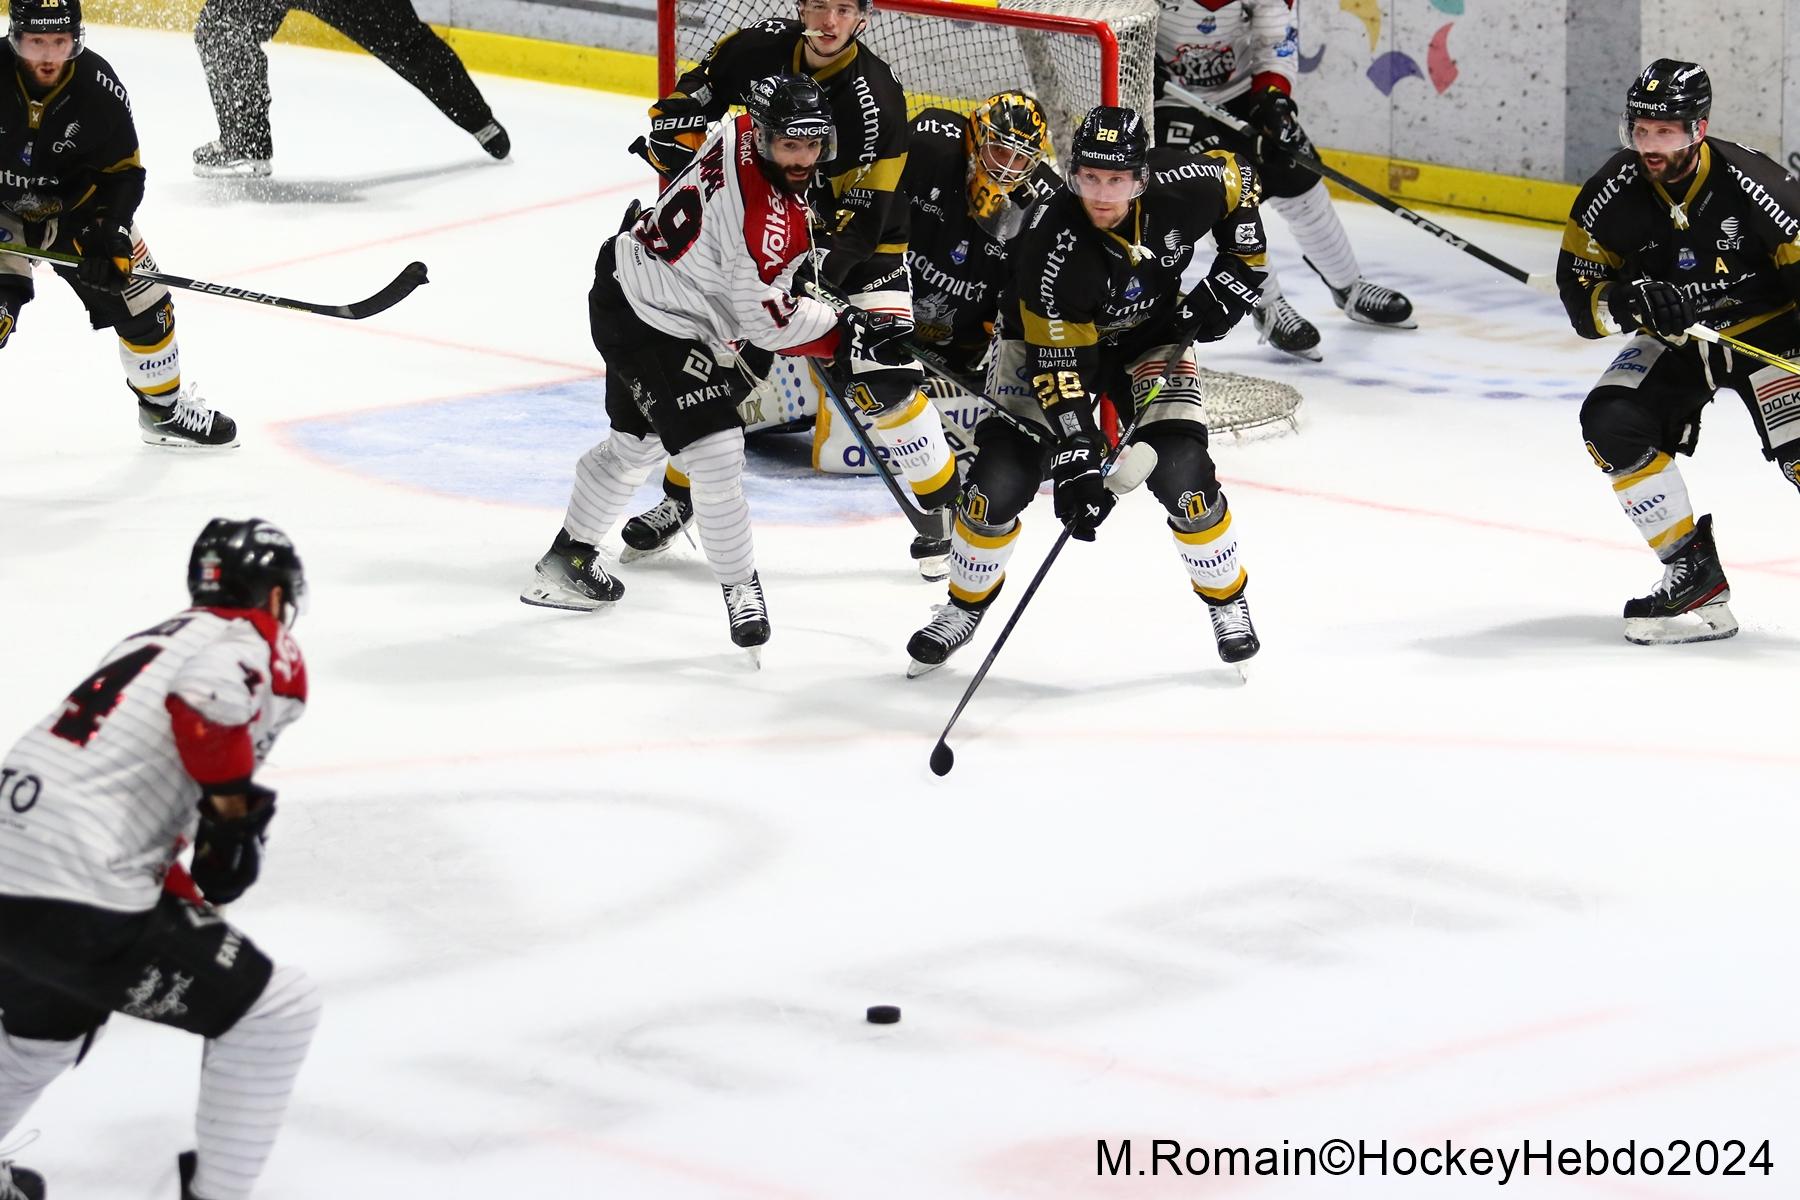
column 1680, row 229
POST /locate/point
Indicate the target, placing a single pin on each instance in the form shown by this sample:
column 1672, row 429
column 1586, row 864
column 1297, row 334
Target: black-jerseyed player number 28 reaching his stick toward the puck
column 1093, row 305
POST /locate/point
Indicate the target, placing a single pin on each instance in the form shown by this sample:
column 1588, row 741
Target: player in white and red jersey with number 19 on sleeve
column 708, row 265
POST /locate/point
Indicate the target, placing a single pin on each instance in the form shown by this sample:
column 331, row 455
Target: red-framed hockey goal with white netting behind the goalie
column 1070, row 55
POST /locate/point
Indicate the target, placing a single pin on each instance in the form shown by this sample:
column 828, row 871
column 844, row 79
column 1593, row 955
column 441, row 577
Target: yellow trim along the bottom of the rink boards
column 1416, row 184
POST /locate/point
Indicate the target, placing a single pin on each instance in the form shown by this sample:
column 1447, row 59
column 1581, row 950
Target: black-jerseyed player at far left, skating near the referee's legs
column 71, row 181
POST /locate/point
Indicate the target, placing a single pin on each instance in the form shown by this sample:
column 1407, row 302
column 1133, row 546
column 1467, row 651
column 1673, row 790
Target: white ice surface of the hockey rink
column 598, row 909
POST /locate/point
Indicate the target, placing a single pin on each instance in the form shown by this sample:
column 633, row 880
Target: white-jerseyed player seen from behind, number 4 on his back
column 157, row 749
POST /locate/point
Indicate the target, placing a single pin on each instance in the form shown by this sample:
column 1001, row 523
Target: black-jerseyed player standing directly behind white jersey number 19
column 861, row 220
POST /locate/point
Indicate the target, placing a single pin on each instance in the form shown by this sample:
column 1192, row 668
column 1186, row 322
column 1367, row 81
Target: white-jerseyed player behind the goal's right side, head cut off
column 1239, row 55
